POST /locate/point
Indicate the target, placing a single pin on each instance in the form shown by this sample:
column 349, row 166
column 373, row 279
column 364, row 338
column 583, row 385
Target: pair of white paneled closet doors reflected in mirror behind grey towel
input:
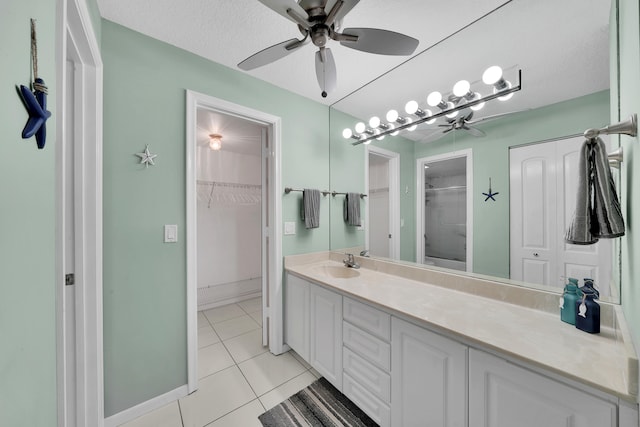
column 543, row 186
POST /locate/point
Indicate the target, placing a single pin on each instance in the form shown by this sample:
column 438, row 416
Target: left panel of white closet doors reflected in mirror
column 533, row 214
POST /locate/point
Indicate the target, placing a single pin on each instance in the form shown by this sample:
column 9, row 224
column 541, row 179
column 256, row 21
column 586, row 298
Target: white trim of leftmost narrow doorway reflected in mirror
column 394, row 197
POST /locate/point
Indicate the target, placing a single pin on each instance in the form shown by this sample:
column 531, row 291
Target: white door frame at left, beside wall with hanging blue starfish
column 74, row 26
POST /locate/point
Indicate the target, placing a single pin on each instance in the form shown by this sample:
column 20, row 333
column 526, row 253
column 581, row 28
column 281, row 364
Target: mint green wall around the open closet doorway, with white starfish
column 144, row 279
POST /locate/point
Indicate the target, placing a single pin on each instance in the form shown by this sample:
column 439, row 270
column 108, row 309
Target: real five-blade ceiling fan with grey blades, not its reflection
column 319, row 21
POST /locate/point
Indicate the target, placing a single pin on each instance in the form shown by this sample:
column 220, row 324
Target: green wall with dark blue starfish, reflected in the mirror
column 491, row 160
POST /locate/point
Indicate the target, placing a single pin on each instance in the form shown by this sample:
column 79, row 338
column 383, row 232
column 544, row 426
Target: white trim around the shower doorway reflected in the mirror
column 420, row 201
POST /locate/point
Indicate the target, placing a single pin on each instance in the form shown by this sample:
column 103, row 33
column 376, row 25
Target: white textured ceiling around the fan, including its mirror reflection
column 560, row 45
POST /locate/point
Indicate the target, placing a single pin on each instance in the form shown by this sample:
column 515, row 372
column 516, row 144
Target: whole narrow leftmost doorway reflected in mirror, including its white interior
column 382, row 224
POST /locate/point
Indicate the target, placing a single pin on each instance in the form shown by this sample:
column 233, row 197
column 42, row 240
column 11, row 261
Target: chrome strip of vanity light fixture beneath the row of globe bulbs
column 380, row 132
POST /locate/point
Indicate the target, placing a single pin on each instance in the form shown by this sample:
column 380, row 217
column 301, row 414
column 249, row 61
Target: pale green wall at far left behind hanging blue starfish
column 27, row 224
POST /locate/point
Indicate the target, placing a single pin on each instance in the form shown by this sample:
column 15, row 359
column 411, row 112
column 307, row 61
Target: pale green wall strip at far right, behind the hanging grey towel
column 629, row 81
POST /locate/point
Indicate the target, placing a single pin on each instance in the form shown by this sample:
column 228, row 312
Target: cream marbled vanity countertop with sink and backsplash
column 605, row 361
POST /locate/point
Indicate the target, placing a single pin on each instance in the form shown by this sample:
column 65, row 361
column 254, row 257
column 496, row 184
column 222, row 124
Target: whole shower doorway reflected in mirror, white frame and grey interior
column 444, row 206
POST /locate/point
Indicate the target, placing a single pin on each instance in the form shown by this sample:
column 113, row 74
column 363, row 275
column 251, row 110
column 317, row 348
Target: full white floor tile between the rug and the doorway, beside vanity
column 266, row 371
